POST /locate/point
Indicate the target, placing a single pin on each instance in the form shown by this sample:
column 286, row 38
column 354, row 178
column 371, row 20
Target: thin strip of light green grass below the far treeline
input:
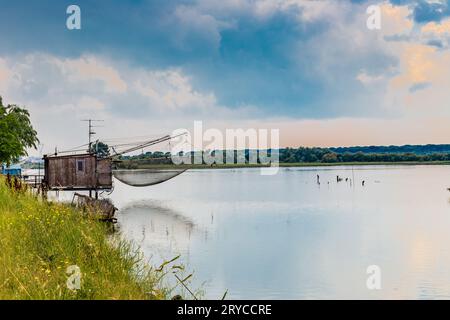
column 137, row 165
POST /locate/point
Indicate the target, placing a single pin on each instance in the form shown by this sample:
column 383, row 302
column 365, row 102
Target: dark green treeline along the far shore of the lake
column 407, row 153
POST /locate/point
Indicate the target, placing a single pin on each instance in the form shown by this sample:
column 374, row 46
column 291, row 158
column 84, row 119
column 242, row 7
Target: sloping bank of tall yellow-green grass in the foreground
column 40, row 240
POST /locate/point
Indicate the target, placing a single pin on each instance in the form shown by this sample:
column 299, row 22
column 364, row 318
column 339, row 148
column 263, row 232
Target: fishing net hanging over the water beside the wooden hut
column 145, row 177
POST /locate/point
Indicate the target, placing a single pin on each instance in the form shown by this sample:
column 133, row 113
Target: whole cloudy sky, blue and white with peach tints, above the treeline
column 311, row 68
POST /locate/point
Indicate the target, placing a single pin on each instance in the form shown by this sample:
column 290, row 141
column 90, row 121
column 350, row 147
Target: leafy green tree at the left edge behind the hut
column 16, row 133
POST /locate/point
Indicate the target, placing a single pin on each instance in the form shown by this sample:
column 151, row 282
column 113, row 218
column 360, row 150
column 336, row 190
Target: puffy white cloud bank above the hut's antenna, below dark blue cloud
column 98, row 82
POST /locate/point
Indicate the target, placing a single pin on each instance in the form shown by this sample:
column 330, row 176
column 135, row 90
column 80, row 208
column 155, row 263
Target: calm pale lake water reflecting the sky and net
column 284, row 236
